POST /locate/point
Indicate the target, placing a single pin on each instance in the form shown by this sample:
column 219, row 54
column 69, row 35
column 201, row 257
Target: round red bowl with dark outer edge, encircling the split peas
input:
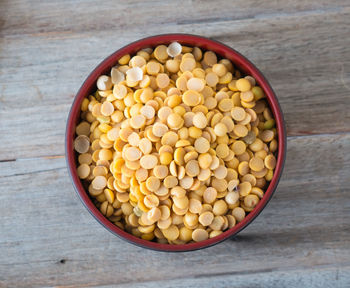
column 220, row 49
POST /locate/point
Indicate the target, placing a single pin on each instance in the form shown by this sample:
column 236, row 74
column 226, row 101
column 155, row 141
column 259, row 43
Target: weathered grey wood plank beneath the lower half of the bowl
column 48, row 238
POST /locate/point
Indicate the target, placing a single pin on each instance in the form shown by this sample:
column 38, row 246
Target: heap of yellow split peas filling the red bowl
column 175, row 145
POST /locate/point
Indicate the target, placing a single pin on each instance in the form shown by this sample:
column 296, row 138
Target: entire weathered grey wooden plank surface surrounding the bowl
column 47, row 237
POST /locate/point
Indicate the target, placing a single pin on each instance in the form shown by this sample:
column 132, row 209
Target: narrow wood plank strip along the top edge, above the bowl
column 24, row 17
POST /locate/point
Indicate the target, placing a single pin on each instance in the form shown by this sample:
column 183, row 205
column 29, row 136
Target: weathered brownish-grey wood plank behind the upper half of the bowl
column 307, row 65
